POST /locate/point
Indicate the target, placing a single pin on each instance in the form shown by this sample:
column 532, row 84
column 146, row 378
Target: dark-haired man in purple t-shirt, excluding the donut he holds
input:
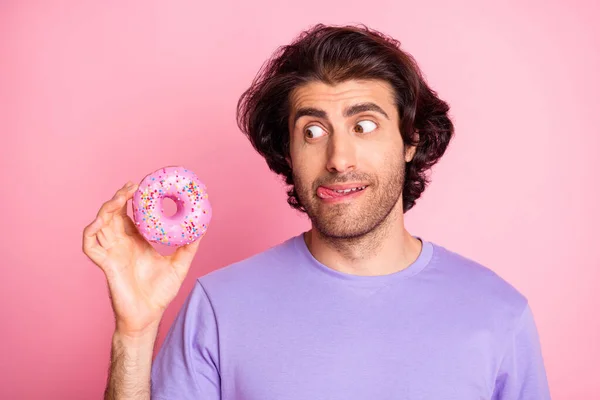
column 355, row 308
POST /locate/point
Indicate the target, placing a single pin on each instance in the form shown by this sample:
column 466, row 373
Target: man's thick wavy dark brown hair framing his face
column 334, row 54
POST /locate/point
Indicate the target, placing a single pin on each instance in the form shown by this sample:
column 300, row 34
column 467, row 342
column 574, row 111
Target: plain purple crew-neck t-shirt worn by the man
column 282, row 326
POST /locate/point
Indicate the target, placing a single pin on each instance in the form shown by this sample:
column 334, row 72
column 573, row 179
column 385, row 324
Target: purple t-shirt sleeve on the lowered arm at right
column 522, row 375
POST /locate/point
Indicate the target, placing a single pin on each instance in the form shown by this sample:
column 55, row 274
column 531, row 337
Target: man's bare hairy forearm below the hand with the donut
column 130, row 366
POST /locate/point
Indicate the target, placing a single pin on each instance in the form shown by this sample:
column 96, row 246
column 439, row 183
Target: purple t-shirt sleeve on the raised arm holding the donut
column 187, row 364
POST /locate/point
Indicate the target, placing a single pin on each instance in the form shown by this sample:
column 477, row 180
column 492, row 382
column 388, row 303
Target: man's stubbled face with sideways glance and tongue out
column 347, row 155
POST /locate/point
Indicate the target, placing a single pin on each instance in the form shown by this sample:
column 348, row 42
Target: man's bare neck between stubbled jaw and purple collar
column 386, row 249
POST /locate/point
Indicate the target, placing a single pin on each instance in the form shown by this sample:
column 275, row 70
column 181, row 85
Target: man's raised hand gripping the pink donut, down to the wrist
column 141, row 281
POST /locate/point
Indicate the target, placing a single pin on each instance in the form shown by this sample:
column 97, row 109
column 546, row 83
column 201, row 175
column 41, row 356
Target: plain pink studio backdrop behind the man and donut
column 95, row 93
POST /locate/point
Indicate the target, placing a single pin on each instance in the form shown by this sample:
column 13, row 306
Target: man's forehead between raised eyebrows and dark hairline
column 336, row 97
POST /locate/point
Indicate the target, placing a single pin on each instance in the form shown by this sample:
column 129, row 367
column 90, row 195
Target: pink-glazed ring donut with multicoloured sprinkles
column 194, row 212
